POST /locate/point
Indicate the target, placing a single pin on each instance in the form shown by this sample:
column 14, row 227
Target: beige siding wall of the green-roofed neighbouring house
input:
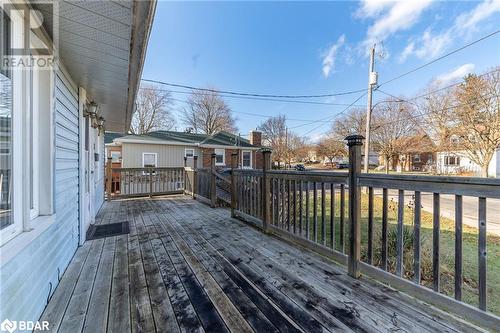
column 168, row 155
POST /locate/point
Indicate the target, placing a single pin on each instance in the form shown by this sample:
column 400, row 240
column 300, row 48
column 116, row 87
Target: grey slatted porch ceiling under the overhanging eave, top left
column 102, row 44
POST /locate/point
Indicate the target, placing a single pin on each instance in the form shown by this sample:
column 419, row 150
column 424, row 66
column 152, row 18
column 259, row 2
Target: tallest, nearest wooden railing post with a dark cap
column 354, row 142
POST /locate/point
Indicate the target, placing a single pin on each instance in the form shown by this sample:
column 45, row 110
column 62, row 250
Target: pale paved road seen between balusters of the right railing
column 448, row 208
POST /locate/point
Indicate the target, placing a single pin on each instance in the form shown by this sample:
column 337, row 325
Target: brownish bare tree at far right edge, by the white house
column 476, row 120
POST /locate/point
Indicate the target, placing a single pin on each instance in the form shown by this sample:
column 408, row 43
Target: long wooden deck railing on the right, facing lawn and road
column 367, row 222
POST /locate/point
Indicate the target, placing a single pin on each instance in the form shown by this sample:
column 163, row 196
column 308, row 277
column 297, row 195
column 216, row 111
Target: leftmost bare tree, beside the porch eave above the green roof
column 153, row 111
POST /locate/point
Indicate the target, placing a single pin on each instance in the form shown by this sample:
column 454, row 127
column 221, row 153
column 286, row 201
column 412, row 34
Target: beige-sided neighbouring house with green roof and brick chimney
column 168, row 149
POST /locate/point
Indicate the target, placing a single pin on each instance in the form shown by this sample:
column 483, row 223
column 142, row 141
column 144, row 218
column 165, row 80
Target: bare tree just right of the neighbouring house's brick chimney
column 274, row 136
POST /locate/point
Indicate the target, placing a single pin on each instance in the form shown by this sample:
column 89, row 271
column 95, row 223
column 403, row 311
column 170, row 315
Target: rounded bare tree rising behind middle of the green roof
column 208, row 113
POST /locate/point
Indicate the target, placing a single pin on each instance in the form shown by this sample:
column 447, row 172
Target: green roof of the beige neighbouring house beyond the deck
column 219, row 139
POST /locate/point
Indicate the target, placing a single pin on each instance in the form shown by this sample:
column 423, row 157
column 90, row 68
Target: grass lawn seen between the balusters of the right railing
column 447, row 247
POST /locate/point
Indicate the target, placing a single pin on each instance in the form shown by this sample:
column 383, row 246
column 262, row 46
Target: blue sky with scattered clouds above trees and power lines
column 302, row 48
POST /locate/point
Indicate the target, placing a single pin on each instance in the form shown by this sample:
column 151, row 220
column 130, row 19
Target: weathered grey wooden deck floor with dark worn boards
column 185, row 267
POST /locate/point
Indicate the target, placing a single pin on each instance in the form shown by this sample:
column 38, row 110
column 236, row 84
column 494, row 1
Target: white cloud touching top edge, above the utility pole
column 391, row 17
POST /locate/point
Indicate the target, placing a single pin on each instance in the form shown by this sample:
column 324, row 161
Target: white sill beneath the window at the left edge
column 13, row 247
